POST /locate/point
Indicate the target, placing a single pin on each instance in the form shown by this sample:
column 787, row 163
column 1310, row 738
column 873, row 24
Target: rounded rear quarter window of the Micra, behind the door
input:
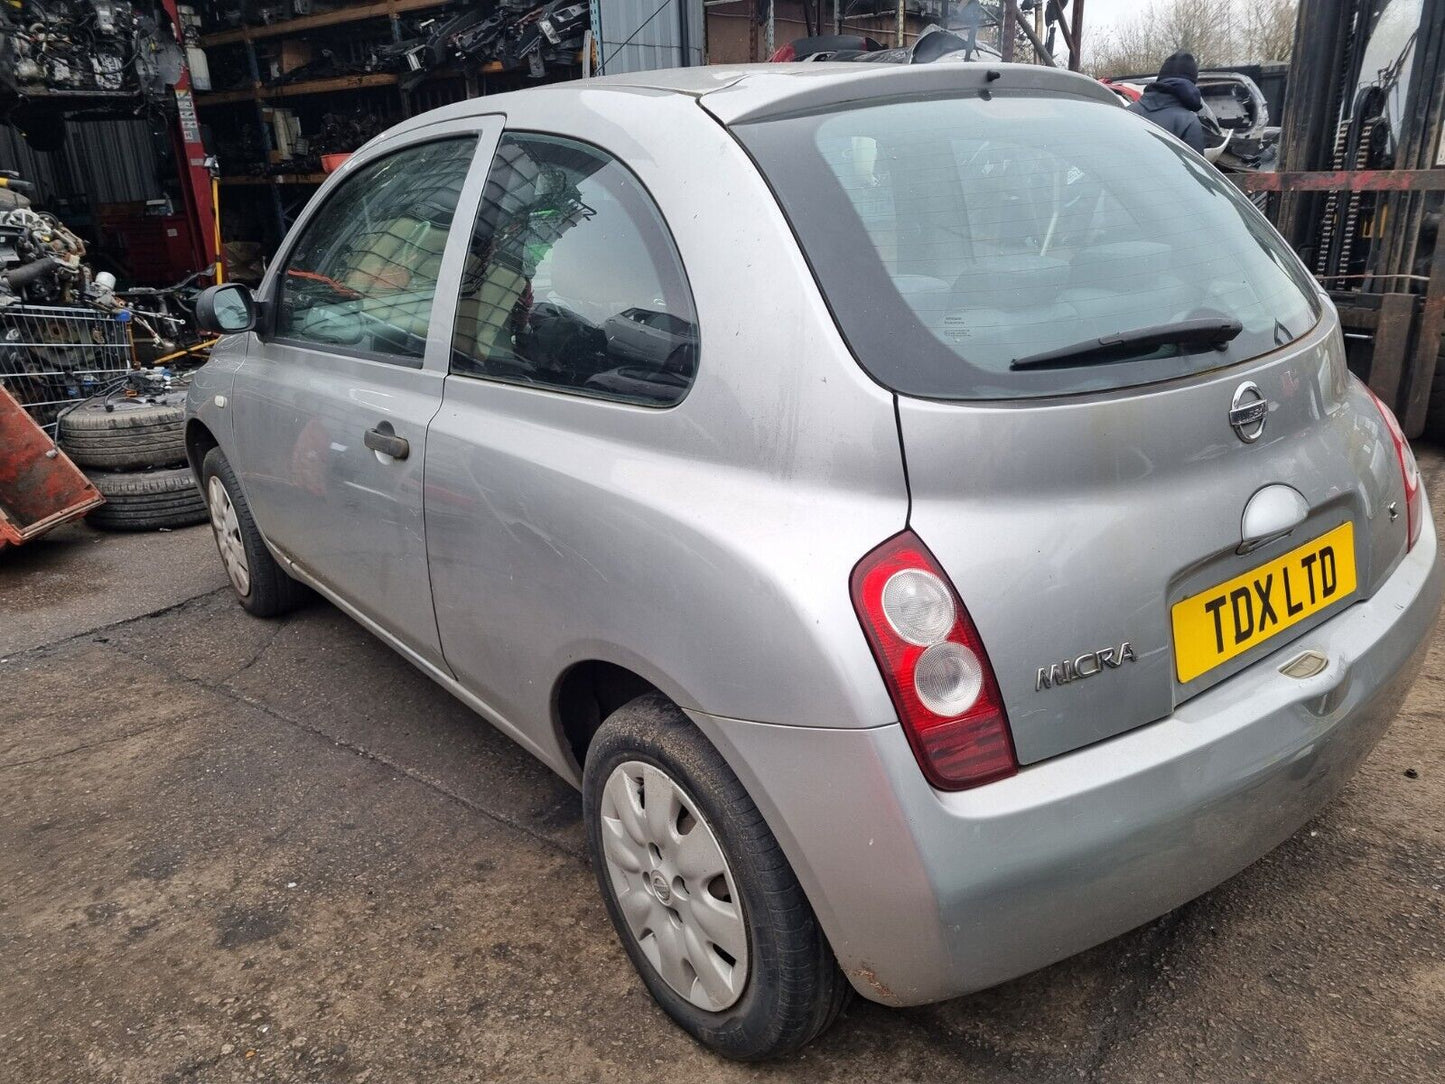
column 573, row 281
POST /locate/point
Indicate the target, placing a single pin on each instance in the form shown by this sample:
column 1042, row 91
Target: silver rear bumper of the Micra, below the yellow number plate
column 928, row 895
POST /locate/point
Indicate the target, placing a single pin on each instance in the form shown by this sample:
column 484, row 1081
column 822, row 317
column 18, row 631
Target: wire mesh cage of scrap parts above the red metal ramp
column 54, row 356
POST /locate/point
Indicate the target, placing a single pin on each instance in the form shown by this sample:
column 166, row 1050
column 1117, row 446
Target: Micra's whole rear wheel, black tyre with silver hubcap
column 700, row 892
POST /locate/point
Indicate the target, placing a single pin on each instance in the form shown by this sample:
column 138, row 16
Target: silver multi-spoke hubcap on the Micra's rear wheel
column 674, row 887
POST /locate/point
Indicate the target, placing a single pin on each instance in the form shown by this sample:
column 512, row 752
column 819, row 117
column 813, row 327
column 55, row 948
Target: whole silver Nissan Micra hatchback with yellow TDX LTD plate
column 926, row 509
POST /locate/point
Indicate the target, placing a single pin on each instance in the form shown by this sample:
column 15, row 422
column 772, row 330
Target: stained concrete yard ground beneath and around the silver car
column 236, row 851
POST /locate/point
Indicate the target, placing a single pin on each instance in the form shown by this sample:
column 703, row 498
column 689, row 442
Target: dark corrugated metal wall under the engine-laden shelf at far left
column 103, row 161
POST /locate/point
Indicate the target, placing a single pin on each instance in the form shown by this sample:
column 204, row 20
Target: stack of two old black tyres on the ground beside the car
column 135, row 453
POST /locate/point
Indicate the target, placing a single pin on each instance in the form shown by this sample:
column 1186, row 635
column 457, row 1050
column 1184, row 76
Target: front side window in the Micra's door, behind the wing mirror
column 363, row 277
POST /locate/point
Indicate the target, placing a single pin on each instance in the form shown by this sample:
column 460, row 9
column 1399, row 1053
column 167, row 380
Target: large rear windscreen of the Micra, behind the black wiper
column 957, row 236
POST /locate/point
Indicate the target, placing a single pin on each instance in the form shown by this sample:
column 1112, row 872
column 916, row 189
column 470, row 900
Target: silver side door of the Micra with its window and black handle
column 333, row 403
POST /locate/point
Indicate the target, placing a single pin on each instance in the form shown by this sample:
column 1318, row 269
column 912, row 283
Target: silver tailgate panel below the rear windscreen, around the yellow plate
column 1128, row 504
